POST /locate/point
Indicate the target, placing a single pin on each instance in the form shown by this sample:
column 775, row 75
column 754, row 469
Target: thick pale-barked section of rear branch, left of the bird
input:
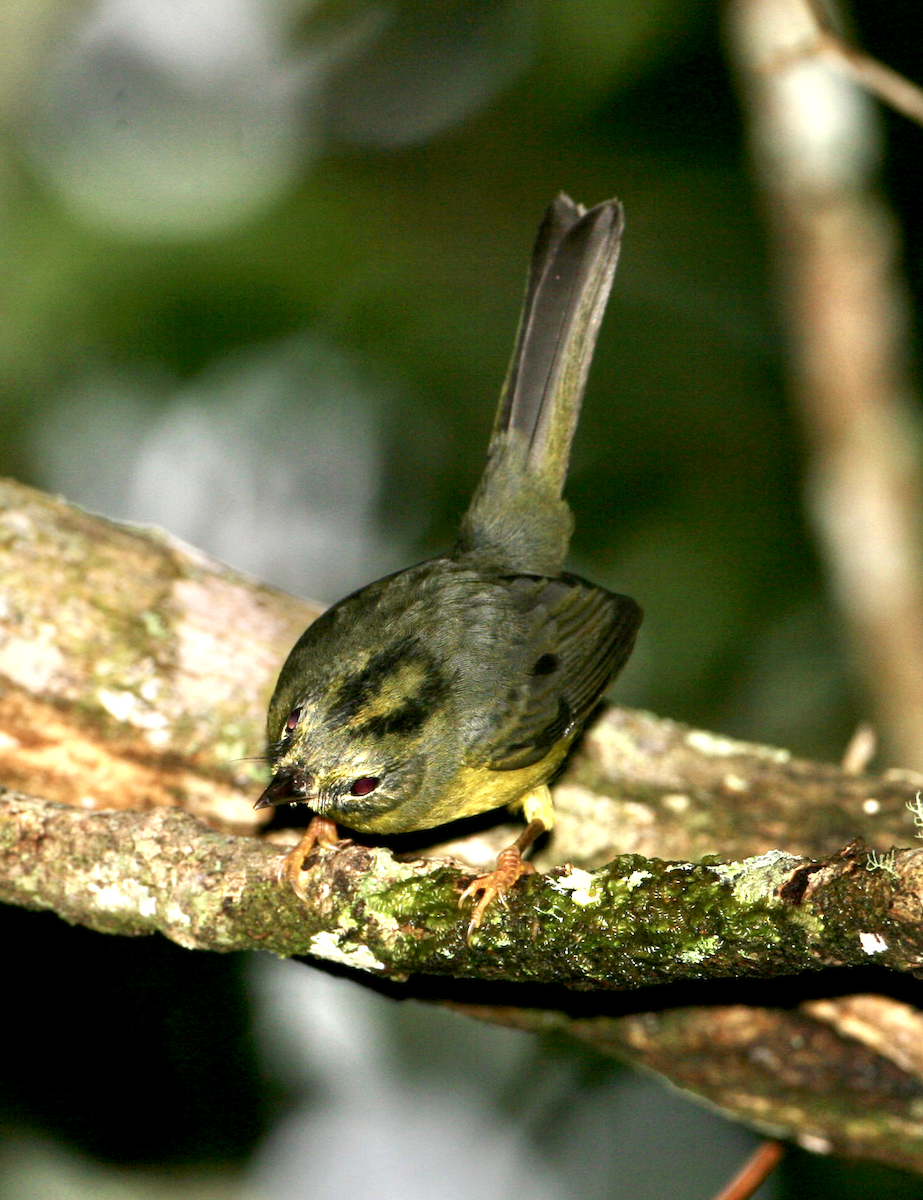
column 136, row 671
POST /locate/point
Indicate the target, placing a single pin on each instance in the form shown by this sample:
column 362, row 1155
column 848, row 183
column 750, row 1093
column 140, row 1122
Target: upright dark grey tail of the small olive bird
column 518, row 519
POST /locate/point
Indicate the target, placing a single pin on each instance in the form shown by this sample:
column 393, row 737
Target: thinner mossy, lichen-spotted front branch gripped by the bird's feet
column 633, row 923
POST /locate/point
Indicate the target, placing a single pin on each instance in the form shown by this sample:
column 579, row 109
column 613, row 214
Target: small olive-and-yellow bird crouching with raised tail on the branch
column 458, row 686
